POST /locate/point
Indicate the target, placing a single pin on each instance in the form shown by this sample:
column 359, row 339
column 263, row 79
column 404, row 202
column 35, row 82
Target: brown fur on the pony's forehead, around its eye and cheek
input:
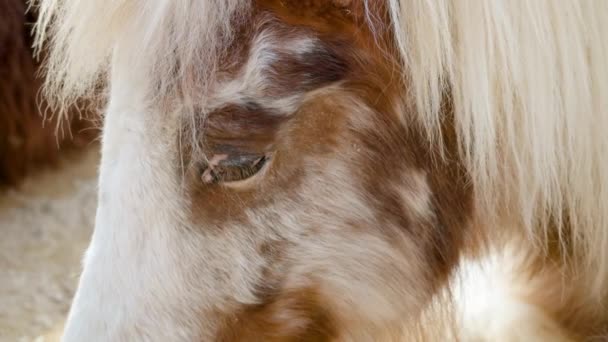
column 381, row 146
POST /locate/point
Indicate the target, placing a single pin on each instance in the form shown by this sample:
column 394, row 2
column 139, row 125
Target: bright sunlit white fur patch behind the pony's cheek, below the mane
column 490, row 300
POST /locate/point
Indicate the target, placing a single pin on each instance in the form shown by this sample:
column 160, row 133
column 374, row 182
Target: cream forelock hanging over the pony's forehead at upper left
column 177, row 41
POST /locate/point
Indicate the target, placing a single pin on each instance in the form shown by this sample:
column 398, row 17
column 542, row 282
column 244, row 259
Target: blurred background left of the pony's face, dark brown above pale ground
column 47, row 190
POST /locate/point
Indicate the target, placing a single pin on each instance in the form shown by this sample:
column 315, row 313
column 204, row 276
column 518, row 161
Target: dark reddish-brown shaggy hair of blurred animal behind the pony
column 27, row 141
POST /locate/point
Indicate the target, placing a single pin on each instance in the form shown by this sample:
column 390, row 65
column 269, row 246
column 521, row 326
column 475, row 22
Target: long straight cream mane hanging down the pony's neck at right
column 529, row 84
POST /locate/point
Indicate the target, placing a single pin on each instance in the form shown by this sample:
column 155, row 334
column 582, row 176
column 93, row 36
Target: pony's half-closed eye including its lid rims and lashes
column 226, row 168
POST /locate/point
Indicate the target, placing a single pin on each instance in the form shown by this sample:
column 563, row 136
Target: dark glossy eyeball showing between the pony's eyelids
column 235, row 168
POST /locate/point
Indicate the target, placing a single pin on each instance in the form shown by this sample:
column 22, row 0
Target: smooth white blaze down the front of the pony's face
column 132, row 283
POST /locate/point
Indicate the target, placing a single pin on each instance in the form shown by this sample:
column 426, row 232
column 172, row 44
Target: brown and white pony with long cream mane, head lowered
column 340, row 170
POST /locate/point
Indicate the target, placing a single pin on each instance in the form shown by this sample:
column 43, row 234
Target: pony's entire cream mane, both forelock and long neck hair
column 528, row 82
